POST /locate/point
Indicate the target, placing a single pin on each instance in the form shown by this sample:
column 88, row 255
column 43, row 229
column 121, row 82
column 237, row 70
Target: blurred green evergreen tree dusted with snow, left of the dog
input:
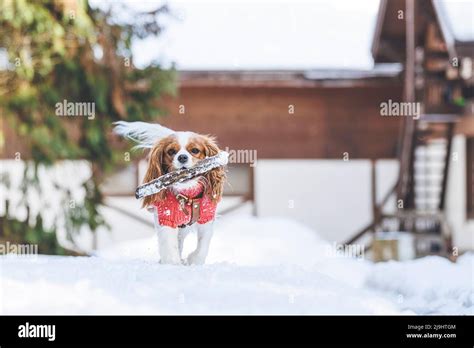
column 68, row 51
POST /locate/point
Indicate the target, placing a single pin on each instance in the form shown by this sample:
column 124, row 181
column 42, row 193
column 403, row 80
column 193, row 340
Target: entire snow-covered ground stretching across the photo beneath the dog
column 256, row 266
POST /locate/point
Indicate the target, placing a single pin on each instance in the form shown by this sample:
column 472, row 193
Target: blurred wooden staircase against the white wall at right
column 421, row 189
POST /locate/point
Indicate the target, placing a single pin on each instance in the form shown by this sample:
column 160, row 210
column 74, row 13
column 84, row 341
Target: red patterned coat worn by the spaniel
column 171, row 212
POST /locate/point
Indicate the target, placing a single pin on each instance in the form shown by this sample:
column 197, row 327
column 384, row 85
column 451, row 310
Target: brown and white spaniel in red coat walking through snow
column 183, row 206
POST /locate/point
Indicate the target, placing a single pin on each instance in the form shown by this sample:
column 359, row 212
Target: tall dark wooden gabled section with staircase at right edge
column 438, row 75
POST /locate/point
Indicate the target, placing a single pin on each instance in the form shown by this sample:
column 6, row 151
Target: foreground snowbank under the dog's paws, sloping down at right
column 83, row 285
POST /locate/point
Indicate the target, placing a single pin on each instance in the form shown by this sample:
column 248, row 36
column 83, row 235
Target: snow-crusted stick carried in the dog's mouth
column 181, row 175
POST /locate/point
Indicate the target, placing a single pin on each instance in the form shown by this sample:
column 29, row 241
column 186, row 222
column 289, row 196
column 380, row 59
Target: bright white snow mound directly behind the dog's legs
column 245, row 240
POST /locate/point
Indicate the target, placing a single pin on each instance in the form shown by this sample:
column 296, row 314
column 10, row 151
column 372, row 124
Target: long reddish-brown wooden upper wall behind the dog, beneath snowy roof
column 326, row 122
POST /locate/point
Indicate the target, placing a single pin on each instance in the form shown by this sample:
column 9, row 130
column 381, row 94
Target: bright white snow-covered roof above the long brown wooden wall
column 261, row 34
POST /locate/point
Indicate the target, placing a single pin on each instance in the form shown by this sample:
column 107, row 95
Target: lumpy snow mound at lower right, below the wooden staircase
column 428, row 285
